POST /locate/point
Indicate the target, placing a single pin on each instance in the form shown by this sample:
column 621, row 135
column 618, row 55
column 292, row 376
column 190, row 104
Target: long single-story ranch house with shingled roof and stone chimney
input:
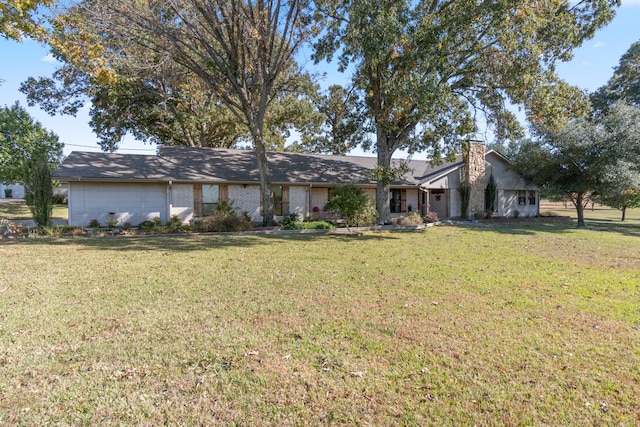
column 189, row 182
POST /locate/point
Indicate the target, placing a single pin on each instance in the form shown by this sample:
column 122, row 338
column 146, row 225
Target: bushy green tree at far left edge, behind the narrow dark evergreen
column 22, row 138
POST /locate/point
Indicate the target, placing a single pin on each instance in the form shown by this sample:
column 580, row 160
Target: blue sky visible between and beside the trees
column 591, row 68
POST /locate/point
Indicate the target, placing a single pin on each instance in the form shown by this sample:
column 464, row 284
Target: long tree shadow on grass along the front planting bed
column 196, row 242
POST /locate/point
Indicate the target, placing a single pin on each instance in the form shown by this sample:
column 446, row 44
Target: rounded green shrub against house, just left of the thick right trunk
column 352, row 203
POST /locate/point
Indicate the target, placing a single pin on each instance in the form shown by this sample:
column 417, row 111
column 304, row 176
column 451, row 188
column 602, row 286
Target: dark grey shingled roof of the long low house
column 188, row 164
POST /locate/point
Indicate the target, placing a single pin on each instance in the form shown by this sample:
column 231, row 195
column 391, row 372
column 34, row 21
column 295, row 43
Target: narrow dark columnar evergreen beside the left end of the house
column 38, row 188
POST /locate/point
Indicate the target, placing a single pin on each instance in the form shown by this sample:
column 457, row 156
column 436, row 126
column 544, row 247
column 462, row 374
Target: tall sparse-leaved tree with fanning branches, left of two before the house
column 202, row 37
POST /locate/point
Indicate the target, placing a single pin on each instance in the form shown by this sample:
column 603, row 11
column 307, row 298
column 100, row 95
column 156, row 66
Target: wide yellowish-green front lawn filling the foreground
column 509, row 324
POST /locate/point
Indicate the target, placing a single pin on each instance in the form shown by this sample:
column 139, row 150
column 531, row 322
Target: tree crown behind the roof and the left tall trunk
column 159, row 102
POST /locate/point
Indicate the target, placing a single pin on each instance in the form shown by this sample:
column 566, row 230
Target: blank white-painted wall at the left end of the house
column 129, row 202
